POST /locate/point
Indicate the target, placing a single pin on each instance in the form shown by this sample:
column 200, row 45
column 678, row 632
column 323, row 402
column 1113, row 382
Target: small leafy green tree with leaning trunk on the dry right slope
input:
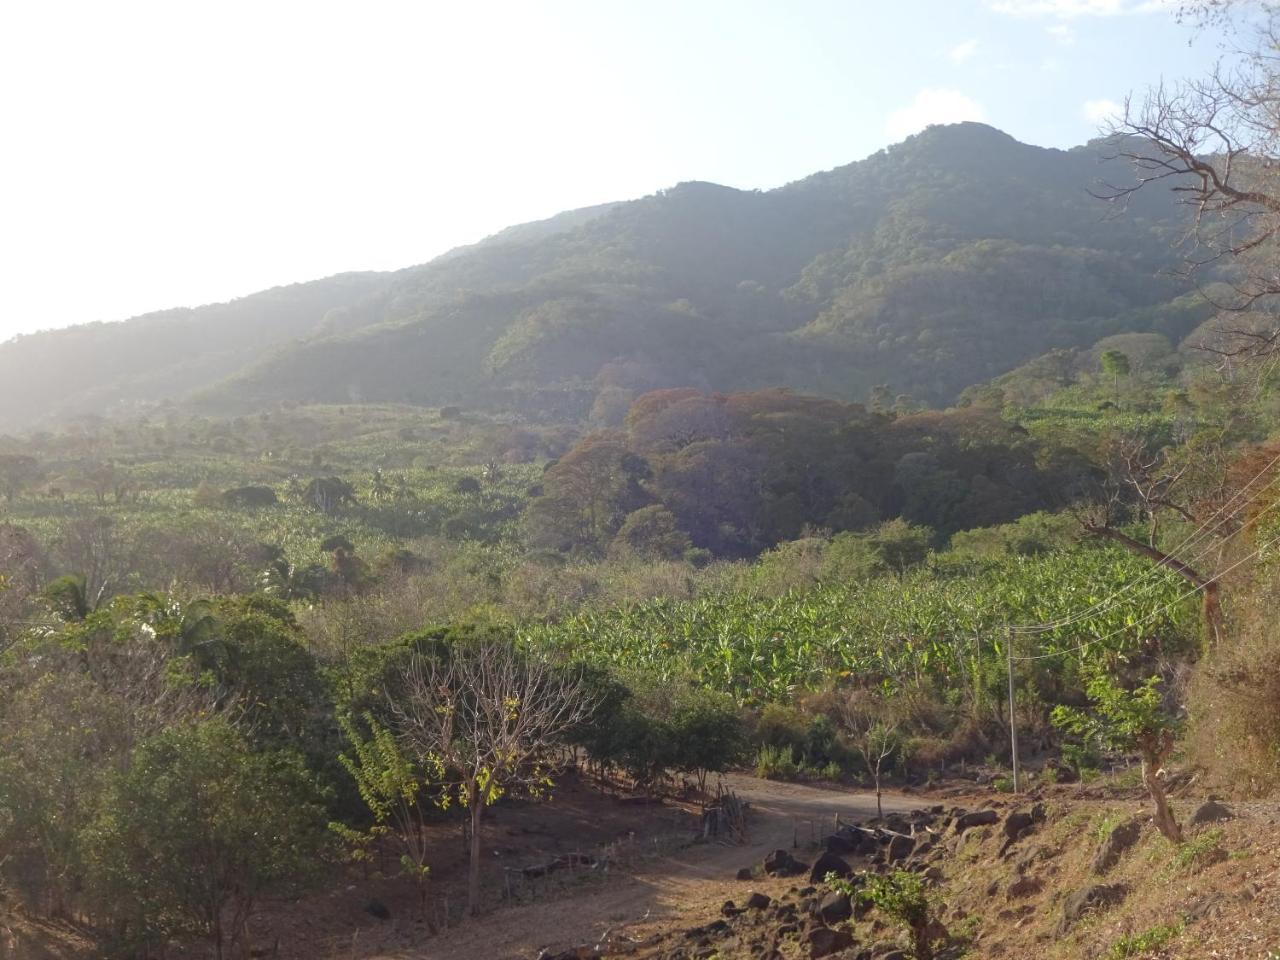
column 1132, row 720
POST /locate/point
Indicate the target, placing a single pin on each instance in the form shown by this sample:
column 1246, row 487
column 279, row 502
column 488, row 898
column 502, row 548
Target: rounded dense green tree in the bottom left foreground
column 196, row 830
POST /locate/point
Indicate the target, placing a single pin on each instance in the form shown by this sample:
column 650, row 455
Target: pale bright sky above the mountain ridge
column 182, row 153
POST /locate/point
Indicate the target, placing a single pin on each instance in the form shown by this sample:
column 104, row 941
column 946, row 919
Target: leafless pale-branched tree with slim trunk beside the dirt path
column 487, row 714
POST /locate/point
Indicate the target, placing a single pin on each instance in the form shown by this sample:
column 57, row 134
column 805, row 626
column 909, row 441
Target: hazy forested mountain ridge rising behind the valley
column 943, row 262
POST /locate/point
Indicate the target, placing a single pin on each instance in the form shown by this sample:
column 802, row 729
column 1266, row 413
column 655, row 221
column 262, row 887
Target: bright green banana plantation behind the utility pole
column 915, row 630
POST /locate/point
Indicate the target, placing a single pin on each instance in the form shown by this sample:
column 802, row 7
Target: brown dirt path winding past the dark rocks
column 691, row 885
